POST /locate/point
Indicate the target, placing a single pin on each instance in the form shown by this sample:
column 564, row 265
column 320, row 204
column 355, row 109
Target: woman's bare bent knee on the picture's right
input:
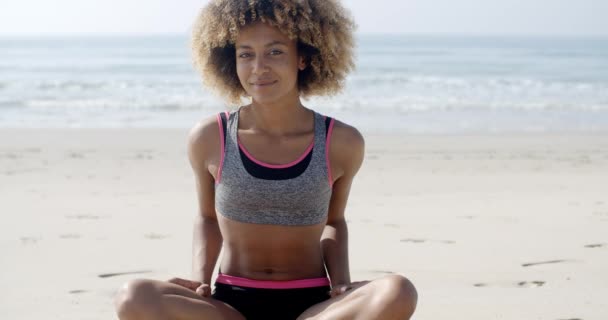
column 397, row 293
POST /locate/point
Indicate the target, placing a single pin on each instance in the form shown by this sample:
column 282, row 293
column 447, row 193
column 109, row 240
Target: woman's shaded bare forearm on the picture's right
column 334, row 243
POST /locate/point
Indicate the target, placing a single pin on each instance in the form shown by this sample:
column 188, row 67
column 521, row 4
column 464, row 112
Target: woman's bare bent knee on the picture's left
column 134, row 299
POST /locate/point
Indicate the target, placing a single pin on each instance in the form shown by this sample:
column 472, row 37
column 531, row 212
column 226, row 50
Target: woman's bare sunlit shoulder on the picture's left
column 204, row 142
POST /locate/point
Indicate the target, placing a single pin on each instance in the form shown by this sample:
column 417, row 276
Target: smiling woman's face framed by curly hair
column 267, row 63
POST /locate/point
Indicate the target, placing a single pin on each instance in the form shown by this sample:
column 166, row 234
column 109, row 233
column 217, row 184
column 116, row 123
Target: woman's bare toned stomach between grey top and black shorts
column 269, row 252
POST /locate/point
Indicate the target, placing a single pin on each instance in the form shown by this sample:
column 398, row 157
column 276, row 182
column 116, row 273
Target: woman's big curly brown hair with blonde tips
column 323, row 30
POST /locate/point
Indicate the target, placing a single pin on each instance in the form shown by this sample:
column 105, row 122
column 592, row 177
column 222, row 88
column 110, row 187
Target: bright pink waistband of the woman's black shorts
column 271, row 284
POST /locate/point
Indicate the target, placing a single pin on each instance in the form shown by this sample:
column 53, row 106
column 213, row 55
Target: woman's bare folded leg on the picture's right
column 391, row 297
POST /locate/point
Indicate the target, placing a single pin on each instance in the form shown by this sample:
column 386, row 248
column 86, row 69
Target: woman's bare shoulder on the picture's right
column 347, row 148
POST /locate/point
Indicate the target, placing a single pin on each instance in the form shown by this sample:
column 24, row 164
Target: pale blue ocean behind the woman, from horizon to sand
column 419, row 84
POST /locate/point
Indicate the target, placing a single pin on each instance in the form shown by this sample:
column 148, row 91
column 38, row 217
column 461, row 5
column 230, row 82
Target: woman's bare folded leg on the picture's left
column 159, row 300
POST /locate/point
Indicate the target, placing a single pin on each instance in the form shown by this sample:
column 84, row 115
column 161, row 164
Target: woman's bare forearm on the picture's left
column 206, row 246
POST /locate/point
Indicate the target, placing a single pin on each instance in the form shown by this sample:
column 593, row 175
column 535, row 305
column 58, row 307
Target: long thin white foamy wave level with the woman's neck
column 395, row 104
